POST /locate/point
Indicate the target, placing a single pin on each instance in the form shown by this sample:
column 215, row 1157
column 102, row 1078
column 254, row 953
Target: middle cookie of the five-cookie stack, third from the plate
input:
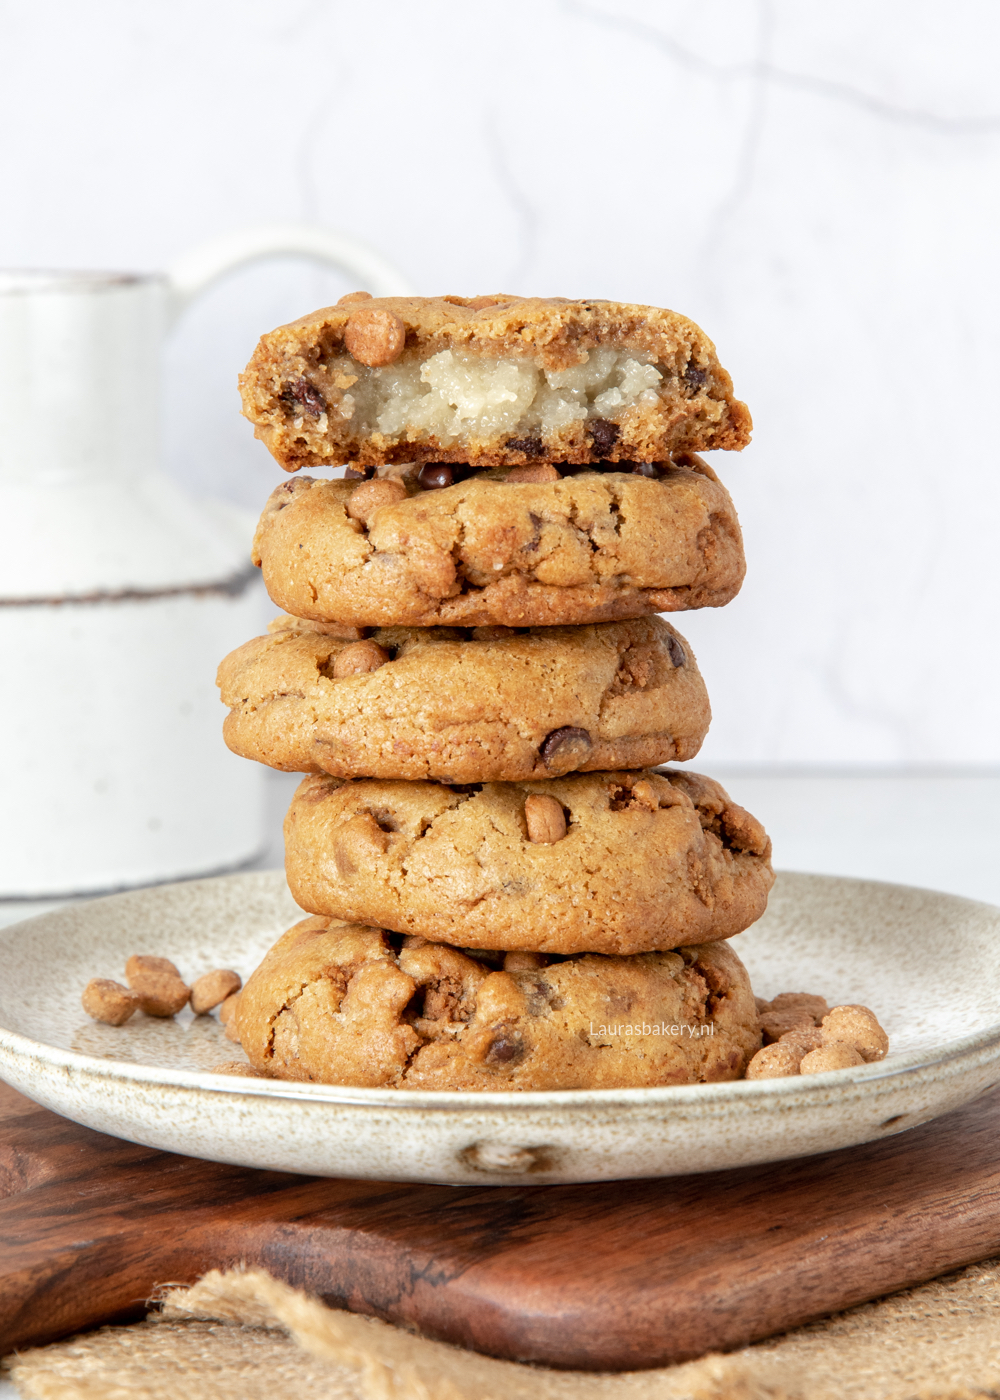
column 466, row 706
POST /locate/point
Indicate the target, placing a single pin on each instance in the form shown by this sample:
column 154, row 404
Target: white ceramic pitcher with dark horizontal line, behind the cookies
column 118, row 593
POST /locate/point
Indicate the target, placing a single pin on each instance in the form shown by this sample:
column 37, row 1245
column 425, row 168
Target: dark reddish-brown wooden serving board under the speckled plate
column 614, row 1276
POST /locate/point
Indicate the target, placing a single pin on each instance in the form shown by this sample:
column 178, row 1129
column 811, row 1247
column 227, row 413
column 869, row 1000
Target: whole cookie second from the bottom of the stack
column 648, row 860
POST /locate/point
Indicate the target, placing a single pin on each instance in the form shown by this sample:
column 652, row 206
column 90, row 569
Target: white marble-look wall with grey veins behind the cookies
column 817, row 185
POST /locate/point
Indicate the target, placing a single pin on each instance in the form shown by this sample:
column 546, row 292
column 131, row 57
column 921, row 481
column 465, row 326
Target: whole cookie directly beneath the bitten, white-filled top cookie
column 581, row 549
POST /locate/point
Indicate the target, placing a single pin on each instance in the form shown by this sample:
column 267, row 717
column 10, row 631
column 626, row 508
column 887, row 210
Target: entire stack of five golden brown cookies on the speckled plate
column 508, row 892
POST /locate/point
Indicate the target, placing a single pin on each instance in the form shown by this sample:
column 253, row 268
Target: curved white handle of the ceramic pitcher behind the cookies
column 191, row 274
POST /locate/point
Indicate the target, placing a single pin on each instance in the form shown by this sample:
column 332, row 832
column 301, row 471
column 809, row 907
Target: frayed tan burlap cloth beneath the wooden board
column 244, row 1336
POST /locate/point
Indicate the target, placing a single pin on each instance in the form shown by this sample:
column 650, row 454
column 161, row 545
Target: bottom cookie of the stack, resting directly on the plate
column 347, row 1004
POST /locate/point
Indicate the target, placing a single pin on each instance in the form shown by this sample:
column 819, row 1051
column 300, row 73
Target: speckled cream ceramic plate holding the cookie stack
column 929, row 964
